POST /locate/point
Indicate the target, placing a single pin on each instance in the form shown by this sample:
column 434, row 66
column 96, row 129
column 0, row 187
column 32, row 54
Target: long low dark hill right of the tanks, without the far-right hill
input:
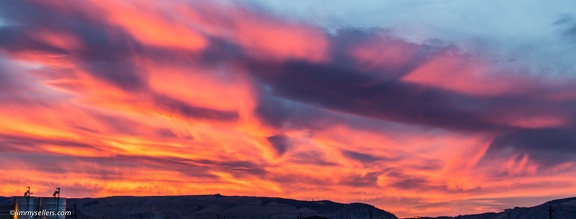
column 217, row 206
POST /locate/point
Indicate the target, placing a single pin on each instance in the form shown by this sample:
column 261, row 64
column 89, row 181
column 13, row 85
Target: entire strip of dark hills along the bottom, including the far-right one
column 235, row 207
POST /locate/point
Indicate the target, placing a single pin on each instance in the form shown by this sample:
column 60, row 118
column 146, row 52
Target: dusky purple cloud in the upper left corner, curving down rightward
column 108, row 48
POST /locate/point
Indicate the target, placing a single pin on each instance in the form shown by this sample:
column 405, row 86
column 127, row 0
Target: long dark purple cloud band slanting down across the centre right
column 326, row 86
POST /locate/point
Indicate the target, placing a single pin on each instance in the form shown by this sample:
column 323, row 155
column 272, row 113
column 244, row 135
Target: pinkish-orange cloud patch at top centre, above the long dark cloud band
column 259, row 36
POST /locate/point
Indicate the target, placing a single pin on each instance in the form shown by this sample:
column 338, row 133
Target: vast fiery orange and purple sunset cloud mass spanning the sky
column 160, row 99
